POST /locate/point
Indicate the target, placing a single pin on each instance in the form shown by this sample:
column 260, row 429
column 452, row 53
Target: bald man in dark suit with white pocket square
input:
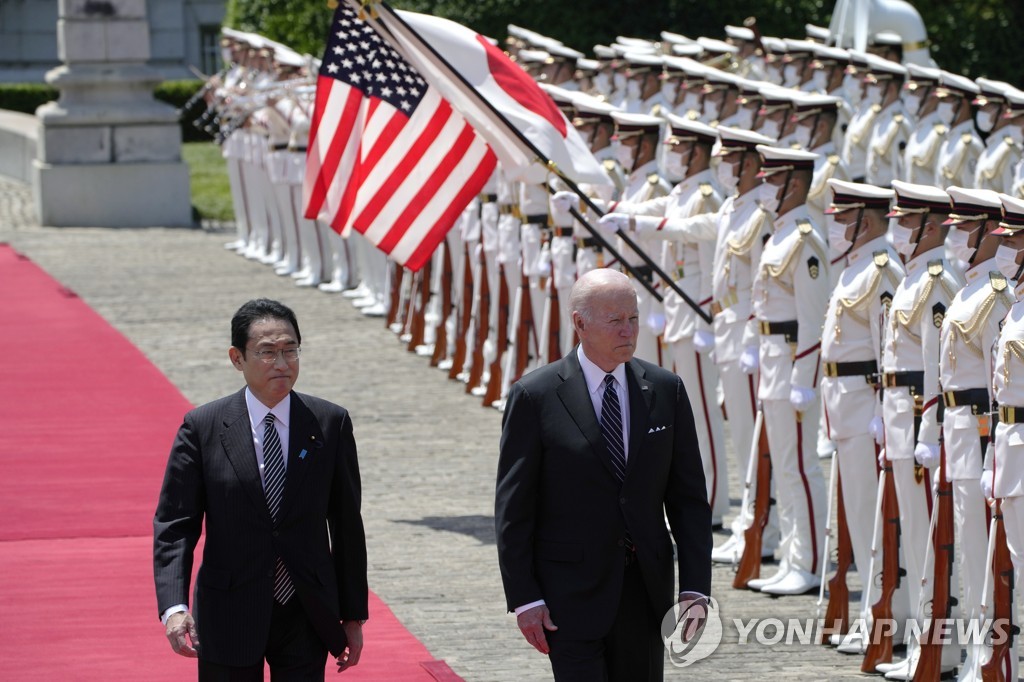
column 596, row 451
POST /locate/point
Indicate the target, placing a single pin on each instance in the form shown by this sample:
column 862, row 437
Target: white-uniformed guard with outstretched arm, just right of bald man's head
column 682, row 229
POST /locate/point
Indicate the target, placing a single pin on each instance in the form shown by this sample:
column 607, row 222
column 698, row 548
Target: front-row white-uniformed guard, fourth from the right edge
column 851, row 345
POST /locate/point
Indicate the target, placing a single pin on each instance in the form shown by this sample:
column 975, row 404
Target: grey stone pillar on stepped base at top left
column 109, row 154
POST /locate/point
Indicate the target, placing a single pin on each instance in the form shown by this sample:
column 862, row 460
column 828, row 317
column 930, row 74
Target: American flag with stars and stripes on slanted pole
column 388, row 156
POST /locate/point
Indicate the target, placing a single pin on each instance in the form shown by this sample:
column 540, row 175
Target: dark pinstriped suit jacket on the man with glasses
column 212, row 476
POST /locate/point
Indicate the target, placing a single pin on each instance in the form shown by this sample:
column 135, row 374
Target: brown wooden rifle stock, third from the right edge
column 880, row 644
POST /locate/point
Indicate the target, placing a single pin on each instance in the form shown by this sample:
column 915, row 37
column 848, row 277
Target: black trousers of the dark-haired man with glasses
column 294, row 652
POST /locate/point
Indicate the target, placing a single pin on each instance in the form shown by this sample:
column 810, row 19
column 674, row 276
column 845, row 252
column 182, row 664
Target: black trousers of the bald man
column 633, row 652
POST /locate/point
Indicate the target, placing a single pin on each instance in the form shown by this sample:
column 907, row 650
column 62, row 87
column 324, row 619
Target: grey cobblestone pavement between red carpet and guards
column 429, row 452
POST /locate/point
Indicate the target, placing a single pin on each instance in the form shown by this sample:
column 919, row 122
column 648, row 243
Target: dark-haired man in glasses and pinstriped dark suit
column 274, row 475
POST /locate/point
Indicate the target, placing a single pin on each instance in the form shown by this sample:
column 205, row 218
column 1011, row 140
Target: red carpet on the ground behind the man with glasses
column 81, row 461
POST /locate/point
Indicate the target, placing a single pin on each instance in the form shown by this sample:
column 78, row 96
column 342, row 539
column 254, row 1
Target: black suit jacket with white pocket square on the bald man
column 562, row 515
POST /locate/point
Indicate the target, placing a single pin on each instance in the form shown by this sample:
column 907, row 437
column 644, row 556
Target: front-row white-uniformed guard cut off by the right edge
column 1005, row 481
